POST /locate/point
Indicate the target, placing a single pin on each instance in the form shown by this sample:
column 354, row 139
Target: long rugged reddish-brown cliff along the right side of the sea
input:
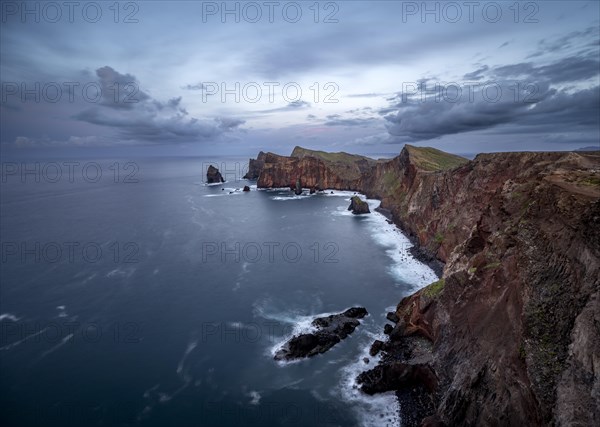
column 511, row 331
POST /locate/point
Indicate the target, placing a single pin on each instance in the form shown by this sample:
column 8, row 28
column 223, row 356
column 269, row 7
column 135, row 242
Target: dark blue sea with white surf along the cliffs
column 146, row 298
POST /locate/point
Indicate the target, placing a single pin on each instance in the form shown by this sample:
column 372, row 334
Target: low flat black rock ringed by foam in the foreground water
column 329, row 331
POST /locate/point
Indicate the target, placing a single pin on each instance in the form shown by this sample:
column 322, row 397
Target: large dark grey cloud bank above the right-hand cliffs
column 537, row 102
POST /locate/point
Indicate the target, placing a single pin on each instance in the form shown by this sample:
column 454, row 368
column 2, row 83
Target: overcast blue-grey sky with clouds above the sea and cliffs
column 232, row 78
